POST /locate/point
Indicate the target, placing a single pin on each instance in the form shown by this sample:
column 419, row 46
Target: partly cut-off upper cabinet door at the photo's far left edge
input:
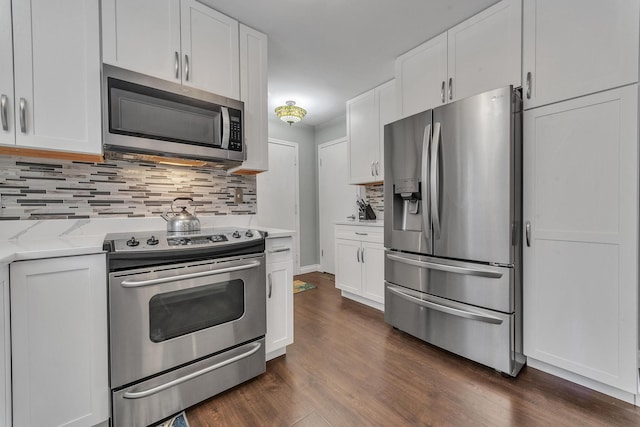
column 7, row 126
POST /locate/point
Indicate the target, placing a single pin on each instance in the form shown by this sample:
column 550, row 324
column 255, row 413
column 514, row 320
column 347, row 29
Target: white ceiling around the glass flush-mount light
column 323, row 52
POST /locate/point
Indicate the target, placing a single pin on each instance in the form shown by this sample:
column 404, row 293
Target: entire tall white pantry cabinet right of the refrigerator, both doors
column 580, row 200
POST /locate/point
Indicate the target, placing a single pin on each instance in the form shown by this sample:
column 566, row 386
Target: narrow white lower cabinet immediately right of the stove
column 279, row 295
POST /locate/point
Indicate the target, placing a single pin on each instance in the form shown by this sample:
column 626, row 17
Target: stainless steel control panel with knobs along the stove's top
column 162, row 240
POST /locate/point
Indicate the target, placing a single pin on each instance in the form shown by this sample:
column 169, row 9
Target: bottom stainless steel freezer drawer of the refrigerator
column 484, row 336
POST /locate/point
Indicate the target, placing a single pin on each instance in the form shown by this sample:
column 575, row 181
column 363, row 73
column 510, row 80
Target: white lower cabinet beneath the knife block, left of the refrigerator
column 360, row 263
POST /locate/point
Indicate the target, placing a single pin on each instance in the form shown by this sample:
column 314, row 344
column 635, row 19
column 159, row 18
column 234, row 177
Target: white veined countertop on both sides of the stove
column 24, row 240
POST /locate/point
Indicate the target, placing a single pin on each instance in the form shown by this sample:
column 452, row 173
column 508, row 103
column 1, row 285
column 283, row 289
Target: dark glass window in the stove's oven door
column 183, row 312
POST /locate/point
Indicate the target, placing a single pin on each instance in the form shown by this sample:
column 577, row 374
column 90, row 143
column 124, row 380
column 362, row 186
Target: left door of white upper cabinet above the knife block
column 363, row 136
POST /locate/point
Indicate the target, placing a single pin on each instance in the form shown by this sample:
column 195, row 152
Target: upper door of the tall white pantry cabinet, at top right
column 572, row 48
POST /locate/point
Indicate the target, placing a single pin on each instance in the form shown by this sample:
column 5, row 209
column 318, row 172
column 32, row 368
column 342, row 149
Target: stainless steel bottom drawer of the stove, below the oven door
column 155, row 399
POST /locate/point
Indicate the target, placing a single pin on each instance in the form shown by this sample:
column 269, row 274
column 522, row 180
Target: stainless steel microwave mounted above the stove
column 146, row 115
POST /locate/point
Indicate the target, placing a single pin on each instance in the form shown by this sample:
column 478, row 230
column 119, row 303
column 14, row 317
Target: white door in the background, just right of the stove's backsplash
column 278, row 200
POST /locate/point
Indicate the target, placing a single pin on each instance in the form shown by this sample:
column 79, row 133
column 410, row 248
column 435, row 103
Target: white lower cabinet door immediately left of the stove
column 59, row 341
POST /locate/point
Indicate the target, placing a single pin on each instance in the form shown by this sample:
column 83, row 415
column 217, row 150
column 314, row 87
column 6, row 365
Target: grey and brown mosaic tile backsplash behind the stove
column 52, row 189
